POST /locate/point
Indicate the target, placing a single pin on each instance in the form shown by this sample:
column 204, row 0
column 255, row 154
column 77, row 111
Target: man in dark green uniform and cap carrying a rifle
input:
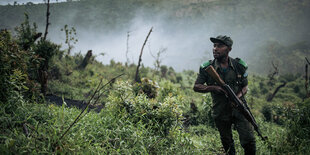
column 233, row 72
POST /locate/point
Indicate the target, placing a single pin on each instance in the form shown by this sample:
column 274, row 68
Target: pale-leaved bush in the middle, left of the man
column 159, row 117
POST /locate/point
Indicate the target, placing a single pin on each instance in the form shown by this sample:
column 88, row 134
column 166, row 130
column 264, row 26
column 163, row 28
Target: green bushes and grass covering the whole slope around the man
column 160, row 115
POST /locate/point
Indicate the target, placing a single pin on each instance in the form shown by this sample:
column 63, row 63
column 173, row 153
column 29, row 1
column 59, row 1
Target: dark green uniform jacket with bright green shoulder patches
column 235, row 76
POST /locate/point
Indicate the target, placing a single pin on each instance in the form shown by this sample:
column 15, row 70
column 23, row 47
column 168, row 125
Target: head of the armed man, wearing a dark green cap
column 221, row 46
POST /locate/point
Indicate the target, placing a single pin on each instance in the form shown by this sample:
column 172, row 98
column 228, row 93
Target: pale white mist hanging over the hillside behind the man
column 185, row 37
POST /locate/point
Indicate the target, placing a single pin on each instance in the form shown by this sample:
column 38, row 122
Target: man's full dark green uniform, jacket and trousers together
column 224, row 114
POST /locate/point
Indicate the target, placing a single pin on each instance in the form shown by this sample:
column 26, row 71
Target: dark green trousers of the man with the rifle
column 244, row 129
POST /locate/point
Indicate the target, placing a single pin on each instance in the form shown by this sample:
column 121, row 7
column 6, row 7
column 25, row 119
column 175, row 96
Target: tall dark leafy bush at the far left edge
column 14, row 64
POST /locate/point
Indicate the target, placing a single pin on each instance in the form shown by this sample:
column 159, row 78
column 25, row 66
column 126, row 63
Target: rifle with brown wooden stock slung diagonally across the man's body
column 237, row 103
